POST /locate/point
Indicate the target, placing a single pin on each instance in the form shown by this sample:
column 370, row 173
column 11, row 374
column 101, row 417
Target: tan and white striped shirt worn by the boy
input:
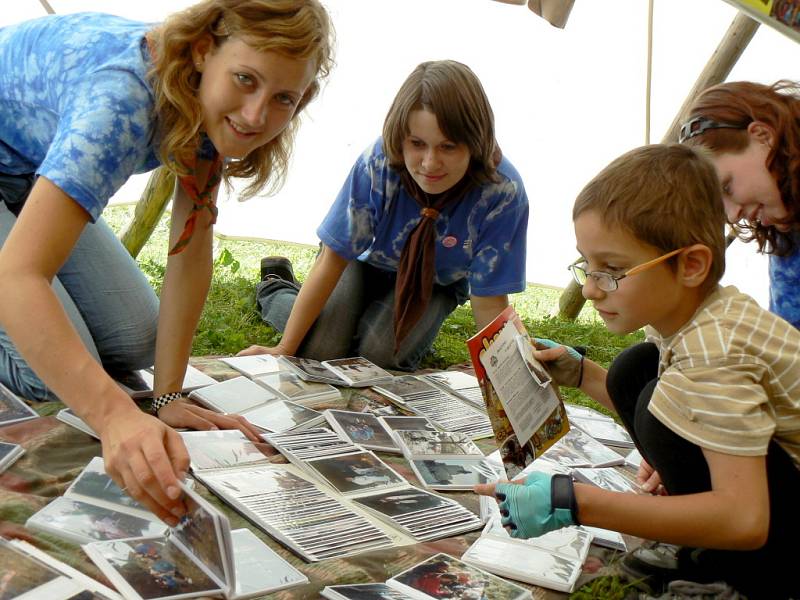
column 729, row 379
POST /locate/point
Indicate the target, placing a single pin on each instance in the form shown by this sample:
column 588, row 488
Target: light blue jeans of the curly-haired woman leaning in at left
column 106, row 297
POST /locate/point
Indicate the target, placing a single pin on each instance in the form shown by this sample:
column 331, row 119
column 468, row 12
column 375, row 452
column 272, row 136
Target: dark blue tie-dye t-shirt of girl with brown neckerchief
column 480, row 239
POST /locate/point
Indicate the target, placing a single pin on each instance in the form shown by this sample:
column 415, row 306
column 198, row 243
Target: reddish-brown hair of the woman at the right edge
column 740, row 103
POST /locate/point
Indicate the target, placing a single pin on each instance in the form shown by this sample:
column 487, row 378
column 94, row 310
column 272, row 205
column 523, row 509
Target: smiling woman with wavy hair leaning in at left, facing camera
column 87, row 100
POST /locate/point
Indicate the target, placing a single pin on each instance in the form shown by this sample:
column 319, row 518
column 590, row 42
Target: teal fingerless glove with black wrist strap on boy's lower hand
column 544, row 503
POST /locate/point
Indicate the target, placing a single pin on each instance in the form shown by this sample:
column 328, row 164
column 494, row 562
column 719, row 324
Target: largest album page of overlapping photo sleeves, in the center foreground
column 296, row 512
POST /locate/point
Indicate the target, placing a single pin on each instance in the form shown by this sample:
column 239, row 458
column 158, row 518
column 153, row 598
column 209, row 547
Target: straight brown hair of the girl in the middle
column 452, row 92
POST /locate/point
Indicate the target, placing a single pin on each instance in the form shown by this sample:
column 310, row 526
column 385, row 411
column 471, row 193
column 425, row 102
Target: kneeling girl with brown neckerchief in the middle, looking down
column 430, row 215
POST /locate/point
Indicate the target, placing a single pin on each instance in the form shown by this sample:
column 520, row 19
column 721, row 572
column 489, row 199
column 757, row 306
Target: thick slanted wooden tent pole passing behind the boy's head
column 719, row 66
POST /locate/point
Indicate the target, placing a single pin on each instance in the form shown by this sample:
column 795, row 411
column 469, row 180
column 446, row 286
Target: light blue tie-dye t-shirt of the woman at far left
column 75, row 105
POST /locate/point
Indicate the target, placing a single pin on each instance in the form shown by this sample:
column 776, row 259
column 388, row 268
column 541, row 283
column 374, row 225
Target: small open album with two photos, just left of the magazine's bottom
column 446, row 460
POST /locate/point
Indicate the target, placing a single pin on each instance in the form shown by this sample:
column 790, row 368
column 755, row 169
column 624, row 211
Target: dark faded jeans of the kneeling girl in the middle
column 358, row 318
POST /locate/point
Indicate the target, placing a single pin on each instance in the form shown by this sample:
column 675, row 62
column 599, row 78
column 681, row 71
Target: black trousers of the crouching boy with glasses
column 763, row 573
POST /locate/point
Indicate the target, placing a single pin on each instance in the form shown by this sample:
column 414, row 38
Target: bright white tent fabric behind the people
column 566, row 101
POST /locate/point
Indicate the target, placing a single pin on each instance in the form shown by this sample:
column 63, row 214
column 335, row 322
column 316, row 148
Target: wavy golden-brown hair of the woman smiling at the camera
column 296, row 28
